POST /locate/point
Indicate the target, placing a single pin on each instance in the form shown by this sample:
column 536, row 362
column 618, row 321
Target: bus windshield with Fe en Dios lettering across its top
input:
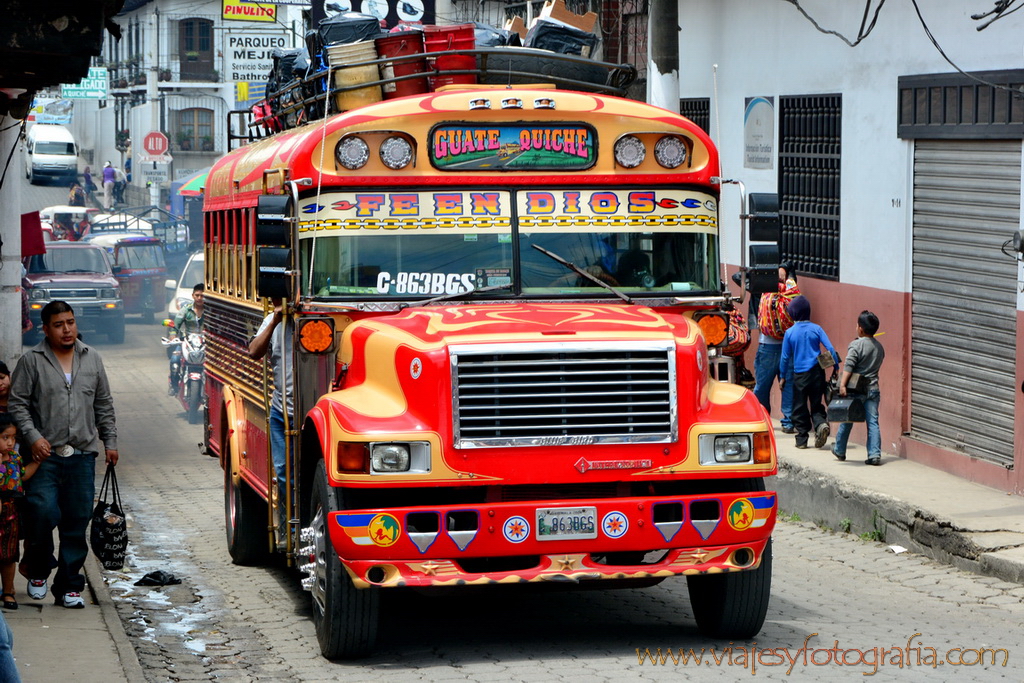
column 392, row 245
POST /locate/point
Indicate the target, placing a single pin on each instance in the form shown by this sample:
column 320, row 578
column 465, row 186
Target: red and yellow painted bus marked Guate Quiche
column 504, row 305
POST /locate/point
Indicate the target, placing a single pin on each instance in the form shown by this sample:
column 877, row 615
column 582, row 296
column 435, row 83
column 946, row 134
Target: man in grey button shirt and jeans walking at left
column 61, row 400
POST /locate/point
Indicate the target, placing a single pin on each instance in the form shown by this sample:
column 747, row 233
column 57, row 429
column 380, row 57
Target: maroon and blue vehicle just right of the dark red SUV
column 140, row 269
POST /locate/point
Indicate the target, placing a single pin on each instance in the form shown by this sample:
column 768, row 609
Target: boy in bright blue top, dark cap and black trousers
column 801, row 349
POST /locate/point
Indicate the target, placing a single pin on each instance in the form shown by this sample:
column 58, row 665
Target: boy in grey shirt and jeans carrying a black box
column 865, row 357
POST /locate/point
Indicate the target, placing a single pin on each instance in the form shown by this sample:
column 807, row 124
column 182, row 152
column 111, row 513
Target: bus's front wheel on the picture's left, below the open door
column 346, row 618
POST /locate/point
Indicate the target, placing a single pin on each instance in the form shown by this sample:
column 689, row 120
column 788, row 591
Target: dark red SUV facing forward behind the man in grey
column 81, row 275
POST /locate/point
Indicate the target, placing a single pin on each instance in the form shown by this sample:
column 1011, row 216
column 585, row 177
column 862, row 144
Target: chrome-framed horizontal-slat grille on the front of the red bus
column 564, row 395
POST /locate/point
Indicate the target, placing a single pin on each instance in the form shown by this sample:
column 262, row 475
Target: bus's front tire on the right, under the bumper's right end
column 733, row 606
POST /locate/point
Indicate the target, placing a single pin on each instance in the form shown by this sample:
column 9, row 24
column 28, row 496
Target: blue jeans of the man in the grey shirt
column 60, row 496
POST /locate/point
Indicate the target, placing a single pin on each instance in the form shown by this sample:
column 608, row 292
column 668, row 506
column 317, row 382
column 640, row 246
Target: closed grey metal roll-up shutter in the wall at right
column 966, row 206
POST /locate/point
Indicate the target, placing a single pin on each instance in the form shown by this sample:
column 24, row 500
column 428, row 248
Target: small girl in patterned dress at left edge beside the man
column 12, row 476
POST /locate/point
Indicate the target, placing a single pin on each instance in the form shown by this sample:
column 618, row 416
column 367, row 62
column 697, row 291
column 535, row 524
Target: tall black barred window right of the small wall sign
column 810, row 145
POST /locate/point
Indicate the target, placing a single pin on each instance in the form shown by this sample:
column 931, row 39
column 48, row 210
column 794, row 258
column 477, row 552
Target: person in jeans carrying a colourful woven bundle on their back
column 774, row 321
